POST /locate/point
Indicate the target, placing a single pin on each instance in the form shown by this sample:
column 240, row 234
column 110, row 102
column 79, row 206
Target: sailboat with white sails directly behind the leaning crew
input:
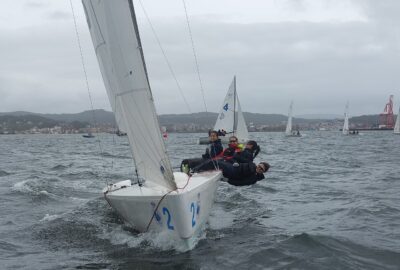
column 230, row 119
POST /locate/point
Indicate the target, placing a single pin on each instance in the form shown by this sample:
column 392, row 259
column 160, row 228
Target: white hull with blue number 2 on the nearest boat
column 181, row 213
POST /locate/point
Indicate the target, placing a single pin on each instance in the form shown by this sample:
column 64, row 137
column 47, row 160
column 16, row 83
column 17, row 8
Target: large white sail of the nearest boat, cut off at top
column 117, row 44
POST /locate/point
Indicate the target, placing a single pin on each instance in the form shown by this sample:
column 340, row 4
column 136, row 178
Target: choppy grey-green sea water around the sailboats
column 328, row 202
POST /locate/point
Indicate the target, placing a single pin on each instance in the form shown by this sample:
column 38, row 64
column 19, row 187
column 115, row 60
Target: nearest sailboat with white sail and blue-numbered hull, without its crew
column 159, row 199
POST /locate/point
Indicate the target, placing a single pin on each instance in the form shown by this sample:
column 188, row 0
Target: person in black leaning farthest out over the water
column 243, row 174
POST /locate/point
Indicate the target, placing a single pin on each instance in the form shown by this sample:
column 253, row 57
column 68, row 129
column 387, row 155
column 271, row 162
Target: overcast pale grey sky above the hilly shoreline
column 318, row 53
